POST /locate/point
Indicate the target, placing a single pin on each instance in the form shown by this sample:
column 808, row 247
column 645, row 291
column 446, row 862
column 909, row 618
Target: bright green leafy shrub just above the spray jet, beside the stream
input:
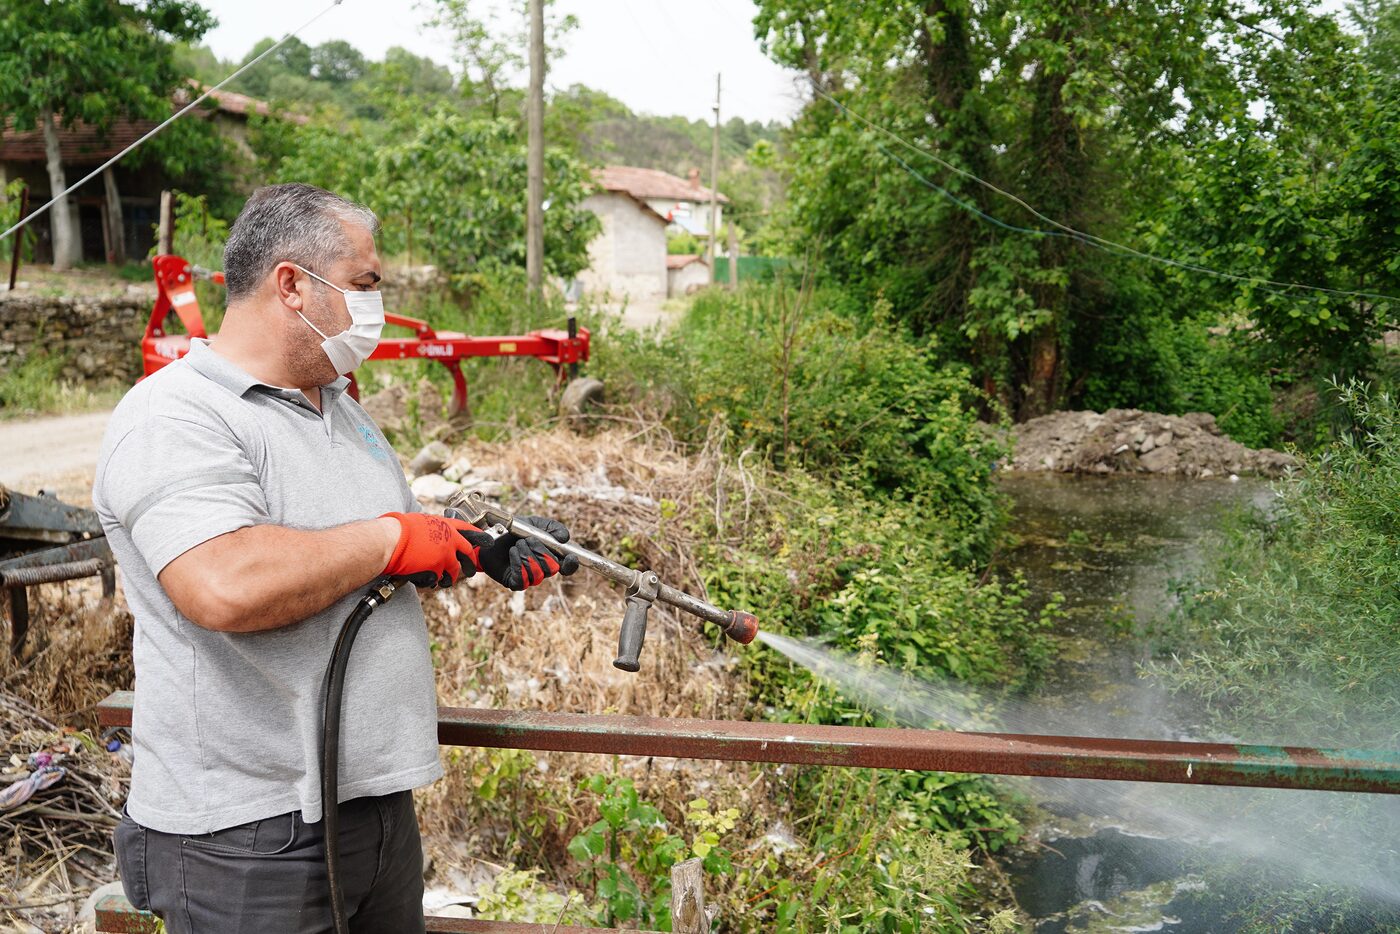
column 874, row 575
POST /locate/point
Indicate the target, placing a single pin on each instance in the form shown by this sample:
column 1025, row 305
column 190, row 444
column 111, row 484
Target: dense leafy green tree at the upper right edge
column 1300, row 191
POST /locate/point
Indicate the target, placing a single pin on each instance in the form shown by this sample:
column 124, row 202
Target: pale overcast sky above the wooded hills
column 657, row 57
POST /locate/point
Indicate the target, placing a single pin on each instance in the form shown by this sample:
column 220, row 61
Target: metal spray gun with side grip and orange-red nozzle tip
column 643, row 587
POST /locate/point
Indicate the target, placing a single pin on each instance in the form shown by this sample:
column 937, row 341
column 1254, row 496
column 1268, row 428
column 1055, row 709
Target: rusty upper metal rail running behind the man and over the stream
column 895, row 748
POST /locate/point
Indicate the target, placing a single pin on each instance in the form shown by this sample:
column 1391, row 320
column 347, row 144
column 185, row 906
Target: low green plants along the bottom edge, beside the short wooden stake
column 867, row 866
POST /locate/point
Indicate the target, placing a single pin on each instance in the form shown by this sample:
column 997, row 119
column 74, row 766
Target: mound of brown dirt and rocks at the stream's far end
column 1133, row 442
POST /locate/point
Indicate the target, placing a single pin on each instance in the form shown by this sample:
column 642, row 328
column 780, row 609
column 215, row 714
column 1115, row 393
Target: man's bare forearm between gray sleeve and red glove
column 271, row 576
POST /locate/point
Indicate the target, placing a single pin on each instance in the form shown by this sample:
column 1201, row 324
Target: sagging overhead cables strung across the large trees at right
column 1065, row 230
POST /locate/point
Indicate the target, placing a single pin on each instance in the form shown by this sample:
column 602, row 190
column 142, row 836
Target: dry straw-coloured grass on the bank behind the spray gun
column 556, row 655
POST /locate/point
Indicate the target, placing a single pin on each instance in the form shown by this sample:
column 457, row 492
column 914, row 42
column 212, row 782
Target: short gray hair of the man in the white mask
column 289, row 223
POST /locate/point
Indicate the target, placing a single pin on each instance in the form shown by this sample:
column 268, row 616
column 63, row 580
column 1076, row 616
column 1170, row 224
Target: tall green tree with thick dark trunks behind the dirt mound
column 1093, row 113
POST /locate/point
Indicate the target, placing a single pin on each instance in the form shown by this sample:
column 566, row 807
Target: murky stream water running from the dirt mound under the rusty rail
column 1139, row 858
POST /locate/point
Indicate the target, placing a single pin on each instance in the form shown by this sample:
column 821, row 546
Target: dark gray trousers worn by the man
column 269, row 877
